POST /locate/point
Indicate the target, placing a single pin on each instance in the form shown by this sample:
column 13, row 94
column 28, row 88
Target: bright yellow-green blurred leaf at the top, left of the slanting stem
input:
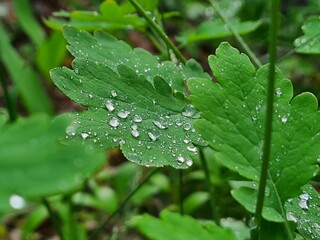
column 111, row 16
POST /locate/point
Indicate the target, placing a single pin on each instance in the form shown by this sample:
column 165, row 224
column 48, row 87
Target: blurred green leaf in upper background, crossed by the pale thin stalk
column 214, row 29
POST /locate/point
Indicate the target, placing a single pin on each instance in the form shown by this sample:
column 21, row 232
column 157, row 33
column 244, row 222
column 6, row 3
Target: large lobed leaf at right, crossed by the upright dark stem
column 234, row 115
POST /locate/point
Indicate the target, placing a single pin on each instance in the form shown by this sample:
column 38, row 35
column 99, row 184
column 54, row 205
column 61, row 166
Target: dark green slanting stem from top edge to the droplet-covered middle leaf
column 158, row 30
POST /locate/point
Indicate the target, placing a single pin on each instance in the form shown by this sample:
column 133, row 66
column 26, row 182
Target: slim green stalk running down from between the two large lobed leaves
column 213, row 204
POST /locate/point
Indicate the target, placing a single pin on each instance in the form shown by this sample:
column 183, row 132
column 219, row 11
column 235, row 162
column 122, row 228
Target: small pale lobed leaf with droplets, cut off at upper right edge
column 309, row 43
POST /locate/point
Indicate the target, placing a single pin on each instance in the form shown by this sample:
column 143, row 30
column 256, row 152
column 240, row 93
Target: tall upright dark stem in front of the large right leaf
column 269, row 114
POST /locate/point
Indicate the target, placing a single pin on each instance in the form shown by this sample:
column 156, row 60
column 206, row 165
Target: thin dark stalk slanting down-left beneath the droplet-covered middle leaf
column 96, row 233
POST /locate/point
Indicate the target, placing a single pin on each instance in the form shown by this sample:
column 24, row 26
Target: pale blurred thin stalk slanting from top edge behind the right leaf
column 225, row 19
